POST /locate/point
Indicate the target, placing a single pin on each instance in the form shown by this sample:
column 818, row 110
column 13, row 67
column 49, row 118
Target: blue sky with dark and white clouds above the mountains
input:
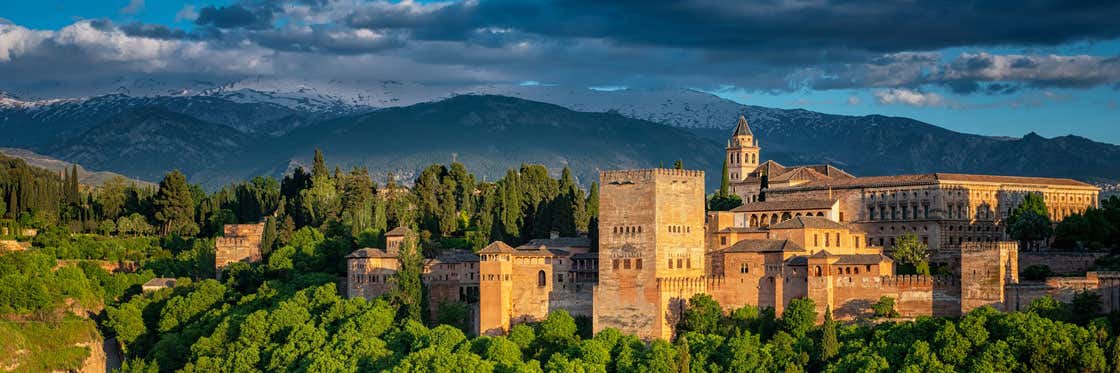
column 992, row 67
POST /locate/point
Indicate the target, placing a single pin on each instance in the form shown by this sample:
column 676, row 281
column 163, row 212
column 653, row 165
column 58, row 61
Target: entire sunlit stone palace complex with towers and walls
column 811, row 232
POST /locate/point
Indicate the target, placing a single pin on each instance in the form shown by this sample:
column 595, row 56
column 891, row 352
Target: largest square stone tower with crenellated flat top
column 651, row 249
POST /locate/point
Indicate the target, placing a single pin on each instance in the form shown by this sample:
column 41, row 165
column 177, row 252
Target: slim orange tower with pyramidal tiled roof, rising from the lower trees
column 496, row 286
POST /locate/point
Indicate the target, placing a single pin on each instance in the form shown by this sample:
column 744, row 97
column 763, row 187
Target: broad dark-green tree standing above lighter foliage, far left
column 175, row 208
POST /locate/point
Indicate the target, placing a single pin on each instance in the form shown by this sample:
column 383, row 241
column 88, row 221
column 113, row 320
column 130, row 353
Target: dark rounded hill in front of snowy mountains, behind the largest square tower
column 493, row 134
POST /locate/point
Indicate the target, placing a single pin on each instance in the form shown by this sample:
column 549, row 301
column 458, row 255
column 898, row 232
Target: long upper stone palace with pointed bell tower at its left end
column 944, row 210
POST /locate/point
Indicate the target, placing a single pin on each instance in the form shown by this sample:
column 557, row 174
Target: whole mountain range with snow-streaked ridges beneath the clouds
column 234, row 132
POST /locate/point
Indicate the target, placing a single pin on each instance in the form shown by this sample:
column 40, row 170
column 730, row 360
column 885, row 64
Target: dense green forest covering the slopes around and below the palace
column 287, row 314
